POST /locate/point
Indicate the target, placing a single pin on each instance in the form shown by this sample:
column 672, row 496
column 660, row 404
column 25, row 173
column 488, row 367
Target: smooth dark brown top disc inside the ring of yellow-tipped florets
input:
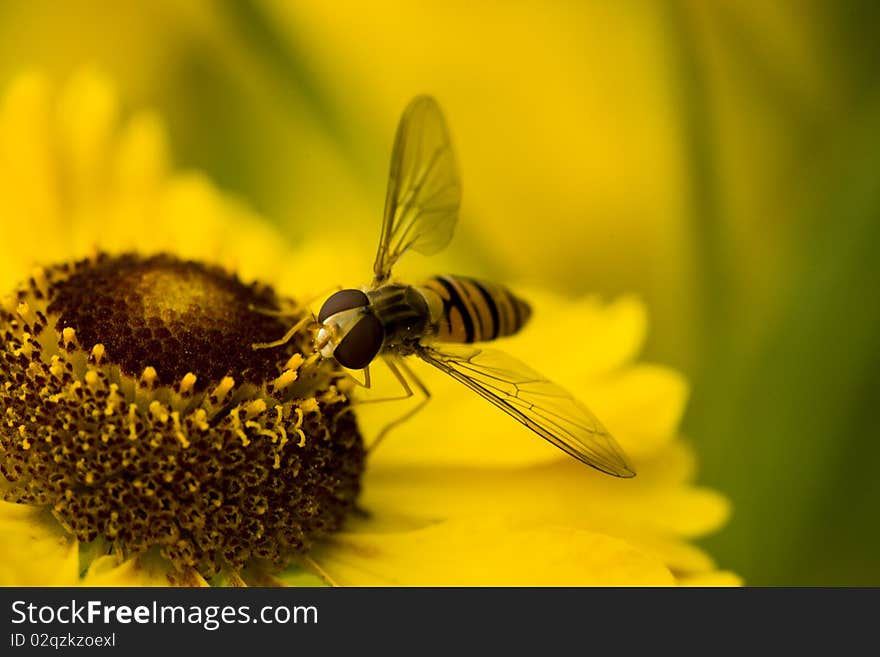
column 175, row 316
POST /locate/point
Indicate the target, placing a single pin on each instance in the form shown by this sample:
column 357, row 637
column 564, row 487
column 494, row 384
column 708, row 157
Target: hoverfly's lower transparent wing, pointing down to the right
column 541, row 405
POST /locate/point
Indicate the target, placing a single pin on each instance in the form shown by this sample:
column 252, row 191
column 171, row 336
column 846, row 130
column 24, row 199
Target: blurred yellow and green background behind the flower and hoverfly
column 718, row 158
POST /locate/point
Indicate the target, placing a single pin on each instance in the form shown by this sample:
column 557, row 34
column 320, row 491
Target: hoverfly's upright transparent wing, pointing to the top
column 424, row 188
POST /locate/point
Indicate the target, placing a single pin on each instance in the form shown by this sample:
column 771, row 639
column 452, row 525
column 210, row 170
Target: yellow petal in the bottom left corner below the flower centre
column 35, row 552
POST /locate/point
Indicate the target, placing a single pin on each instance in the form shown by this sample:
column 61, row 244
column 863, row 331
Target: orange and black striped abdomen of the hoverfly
column 475, row 311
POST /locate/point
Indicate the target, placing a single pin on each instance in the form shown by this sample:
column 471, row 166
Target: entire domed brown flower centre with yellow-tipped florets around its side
column 134, row 407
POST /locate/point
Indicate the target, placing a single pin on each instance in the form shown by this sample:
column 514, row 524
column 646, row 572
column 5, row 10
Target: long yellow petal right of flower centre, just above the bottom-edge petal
column 564, row 492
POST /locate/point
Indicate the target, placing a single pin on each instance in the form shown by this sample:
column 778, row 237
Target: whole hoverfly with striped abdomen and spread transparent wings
column 393, row 320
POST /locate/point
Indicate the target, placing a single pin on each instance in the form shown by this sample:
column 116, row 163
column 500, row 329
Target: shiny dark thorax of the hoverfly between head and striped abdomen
column 404, row 314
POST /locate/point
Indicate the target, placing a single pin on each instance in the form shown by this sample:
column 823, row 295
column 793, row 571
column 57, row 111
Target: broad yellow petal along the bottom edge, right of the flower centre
column 488, row 552
